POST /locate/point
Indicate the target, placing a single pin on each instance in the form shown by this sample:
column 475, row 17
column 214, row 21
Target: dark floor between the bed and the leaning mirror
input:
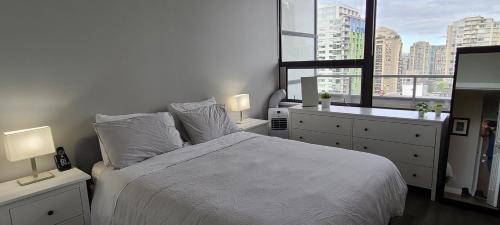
column 421, row 211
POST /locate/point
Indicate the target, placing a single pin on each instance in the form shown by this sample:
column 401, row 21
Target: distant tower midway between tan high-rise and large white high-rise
column 419, row 58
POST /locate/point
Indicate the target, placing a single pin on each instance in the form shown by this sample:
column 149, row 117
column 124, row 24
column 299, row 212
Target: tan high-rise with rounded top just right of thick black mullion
column 388, row 46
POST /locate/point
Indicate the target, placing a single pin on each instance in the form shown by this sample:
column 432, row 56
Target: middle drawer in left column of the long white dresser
column 334, row 140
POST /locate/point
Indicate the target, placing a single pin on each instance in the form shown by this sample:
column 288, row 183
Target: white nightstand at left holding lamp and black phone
column 61, row 200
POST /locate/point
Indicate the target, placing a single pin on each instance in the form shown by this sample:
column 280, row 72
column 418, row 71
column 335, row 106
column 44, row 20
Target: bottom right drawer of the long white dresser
column 419, row 176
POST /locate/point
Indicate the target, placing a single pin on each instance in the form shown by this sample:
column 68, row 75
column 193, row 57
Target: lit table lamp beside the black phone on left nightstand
column 28, row 144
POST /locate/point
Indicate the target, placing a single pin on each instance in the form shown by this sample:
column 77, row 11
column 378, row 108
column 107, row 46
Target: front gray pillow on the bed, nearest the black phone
column 133, row 140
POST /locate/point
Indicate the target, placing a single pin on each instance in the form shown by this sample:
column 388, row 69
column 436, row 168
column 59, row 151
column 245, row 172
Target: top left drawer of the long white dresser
column 326, row 124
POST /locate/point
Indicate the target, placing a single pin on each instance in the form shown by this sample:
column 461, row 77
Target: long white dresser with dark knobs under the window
column 412, row 143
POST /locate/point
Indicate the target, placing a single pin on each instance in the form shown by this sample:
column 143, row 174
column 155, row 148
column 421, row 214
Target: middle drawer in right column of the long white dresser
column 412, row 154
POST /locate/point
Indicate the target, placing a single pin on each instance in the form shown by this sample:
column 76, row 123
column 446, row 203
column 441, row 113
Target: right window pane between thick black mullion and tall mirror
column 414, row 60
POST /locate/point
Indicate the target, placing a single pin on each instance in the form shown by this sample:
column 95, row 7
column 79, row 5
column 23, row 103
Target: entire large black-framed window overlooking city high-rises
column 403, row 56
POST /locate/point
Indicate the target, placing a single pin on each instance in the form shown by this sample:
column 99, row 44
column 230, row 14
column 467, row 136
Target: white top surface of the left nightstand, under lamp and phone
column 11, row 191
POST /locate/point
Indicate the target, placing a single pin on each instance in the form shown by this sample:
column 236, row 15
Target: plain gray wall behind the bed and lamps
column 63, row 61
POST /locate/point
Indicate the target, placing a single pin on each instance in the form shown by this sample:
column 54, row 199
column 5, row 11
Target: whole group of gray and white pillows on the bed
column 129, row 139
